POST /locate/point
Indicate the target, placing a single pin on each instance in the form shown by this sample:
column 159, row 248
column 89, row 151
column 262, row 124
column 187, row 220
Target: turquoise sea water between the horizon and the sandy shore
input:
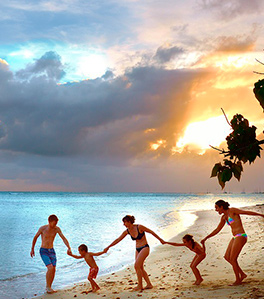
column 91, row 218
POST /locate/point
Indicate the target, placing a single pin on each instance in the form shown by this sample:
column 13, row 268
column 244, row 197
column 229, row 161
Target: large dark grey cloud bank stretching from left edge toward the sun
column 98, row 118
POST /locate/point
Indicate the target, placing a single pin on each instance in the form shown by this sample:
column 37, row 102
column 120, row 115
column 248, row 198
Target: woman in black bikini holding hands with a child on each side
column 137, row 233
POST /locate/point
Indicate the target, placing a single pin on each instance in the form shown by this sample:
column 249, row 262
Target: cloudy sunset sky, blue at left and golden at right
column 126, row 96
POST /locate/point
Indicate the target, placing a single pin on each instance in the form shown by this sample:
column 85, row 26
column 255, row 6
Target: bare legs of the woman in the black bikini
column 139, row 267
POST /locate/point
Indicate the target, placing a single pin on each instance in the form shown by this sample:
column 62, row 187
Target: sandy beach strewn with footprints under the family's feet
column 169, row 270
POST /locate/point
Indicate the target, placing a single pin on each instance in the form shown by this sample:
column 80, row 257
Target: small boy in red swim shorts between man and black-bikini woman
column 88, row 256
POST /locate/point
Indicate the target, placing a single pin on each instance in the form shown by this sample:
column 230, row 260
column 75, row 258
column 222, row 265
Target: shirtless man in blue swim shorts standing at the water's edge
column 48, row 233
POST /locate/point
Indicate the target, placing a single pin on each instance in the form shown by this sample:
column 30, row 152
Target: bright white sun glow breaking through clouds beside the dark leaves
column 200, row 135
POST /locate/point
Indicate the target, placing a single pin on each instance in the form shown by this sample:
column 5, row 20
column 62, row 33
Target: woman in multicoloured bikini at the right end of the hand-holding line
column 231, row 216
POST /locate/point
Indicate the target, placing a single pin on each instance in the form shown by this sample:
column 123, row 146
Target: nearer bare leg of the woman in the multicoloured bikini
column 236, row 248
